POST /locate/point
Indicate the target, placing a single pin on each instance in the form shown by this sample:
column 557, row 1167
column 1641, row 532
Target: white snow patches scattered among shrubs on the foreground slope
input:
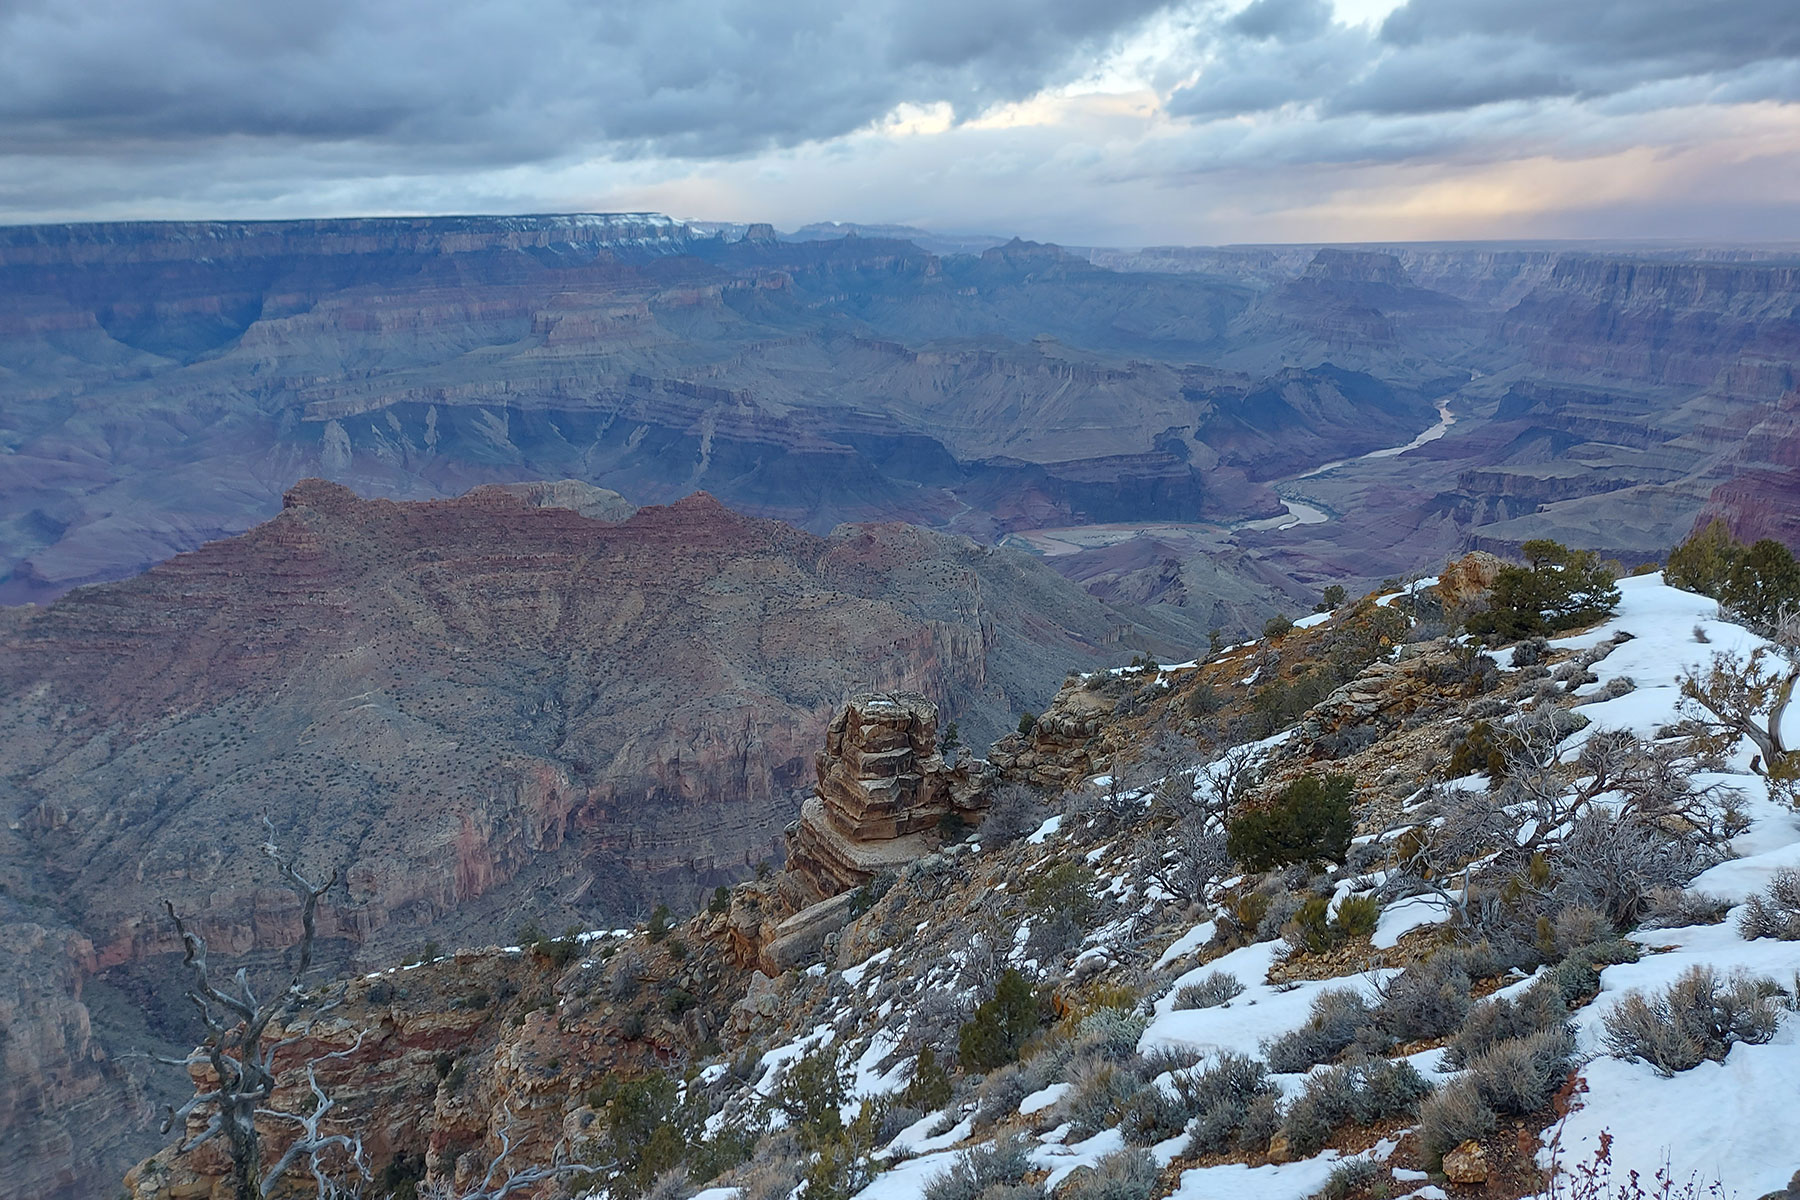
column 1736, row 1122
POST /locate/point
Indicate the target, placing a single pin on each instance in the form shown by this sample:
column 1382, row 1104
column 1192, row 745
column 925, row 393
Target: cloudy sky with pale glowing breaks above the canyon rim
column 1079, row 121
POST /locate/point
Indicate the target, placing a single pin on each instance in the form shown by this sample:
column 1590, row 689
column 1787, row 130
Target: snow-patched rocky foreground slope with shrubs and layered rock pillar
column 1439, row 1007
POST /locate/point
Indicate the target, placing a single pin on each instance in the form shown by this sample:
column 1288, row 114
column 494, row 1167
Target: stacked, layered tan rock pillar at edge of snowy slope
column 885, row 793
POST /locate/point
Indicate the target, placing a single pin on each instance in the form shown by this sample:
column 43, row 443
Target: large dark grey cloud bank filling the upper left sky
column 516, row 82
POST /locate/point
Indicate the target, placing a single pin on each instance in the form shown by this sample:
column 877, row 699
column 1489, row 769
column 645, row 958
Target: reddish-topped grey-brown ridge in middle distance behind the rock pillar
column 481, row 710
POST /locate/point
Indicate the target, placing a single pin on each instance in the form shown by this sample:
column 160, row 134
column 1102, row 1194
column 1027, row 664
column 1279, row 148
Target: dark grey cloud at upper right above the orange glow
column 1443, row 57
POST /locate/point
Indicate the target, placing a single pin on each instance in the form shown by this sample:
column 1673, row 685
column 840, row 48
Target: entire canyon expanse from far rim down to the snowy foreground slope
column 519, row 566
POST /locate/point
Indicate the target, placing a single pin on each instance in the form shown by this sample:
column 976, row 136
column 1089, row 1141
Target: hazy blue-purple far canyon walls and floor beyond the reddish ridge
column 168, row 382
